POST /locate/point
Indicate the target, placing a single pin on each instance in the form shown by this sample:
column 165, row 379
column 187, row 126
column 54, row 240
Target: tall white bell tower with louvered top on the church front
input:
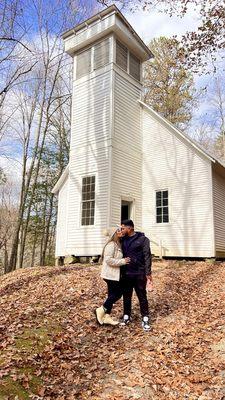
column 105, row 164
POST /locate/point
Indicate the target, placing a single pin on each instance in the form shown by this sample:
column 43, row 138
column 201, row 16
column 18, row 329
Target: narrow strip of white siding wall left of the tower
column 61, row 230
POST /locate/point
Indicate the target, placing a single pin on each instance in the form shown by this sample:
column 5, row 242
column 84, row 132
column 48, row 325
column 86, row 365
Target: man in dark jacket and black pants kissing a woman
column 137, row 274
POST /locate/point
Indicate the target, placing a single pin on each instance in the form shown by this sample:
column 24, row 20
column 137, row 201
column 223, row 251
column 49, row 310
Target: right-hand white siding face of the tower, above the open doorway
column 127, row 147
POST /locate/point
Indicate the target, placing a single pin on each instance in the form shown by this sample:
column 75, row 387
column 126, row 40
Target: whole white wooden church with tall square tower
column 126, row 161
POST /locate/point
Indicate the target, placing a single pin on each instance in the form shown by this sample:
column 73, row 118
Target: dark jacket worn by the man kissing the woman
column 137, row 247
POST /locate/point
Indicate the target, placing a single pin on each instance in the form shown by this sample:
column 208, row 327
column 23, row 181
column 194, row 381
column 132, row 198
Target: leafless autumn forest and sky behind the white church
column 35, row 105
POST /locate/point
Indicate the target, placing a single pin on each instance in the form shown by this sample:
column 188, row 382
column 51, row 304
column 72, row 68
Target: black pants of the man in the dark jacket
column 138, row 283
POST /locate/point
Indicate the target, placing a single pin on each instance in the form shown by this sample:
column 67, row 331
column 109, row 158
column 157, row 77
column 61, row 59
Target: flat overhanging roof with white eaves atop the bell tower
column 98, row 26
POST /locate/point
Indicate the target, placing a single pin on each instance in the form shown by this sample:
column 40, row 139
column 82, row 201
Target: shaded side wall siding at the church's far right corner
column 219, row 213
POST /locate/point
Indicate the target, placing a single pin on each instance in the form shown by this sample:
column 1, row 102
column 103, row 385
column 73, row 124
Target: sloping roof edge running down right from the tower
column 191, row 142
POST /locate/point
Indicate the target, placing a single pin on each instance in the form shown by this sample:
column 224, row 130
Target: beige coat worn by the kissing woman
column 113, row 259
